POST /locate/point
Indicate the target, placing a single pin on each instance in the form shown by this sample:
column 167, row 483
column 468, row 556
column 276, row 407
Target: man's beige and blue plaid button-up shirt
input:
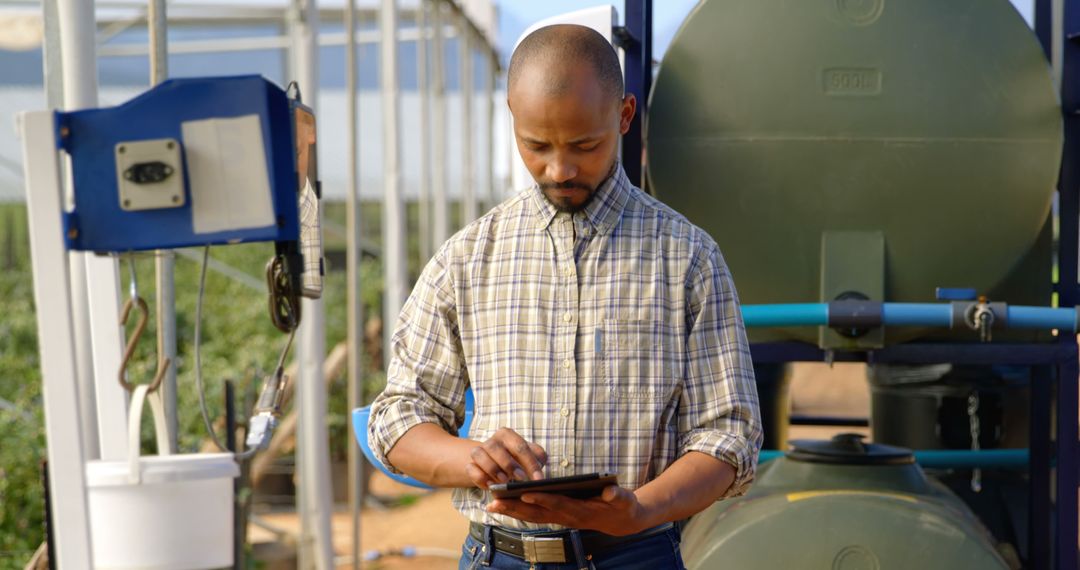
column 613, row 338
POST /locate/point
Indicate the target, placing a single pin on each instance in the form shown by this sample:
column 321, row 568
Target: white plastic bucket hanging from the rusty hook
column 165, row 512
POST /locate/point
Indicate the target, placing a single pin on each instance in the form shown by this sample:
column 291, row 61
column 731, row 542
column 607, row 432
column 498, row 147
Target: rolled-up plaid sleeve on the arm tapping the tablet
column 426, row 377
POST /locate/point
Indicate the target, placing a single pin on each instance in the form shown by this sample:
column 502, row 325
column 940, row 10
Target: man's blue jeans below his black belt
column 660, row 552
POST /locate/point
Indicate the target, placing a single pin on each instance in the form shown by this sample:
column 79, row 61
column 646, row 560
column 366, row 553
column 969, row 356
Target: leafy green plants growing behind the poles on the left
column 238, row 344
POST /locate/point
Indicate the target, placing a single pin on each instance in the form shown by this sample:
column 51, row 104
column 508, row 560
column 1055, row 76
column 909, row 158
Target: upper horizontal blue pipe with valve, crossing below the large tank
column 904, row 315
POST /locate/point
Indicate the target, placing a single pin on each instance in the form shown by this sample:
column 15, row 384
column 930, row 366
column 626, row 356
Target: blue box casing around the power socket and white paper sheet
column 90, row 137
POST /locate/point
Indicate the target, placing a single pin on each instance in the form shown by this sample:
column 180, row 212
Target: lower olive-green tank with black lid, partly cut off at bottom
column 842, row 506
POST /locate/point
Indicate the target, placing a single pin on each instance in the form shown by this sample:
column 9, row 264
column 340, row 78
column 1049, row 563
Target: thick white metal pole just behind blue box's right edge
column 316, row 548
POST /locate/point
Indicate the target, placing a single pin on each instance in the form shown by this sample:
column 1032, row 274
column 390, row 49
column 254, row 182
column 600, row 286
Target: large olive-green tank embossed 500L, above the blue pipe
column 929, row 129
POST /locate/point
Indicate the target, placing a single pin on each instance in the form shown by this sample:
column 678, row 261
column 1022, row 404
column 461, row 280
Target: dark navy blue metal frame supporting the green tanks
column 1047, row 523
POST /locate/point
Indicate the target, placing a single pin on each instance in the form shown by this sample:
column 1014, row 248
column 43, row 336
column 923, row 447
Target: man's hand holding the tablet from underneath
column 616, row 512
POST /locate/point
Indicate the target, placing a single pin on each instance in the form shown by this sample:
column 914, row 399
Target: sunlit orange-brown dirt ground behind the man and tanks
column 430, row 523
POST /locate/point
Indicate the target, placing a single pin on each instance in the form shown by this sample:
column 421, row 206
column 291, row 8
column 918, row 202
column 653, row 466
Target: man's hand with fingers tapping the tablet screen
column 506, row 457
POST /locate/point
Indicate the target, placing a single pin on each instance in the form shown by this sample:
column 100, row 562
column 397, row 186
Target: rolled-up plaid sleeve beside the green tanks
column 719, row 413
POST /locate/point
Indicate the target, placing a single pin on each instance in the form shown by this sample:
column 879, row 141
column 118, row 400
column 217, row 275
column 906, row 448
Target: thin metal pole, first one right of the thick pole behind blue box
column 356, row 318
